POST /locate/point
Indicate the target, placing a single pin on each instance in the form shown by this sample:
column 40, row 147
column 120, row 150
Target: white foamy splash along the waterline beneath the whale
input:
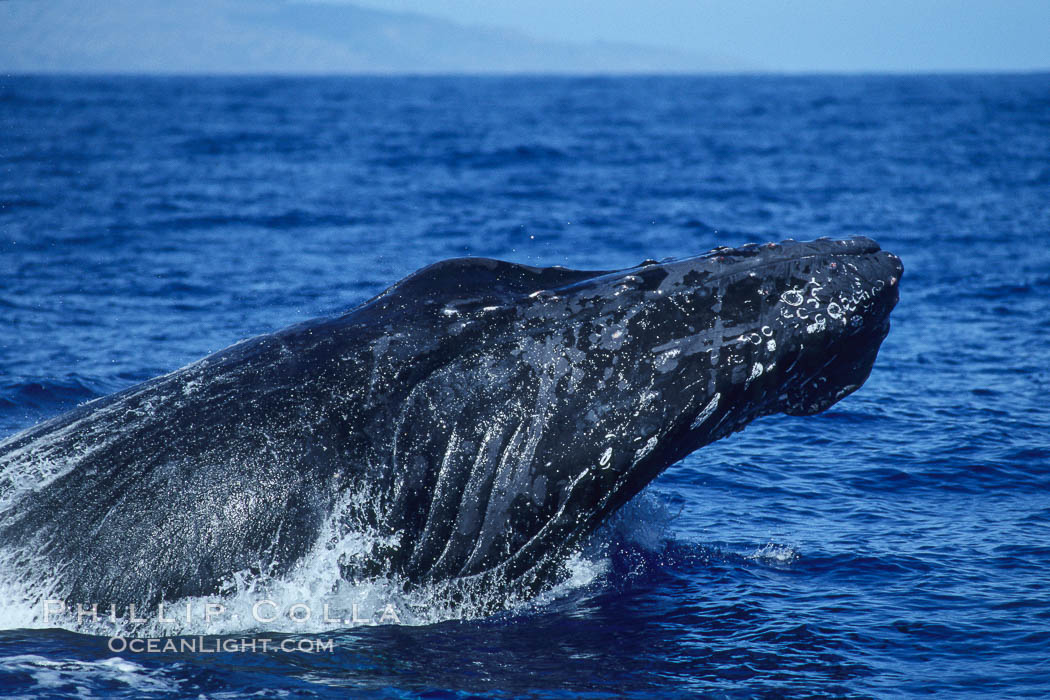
column 314, row 598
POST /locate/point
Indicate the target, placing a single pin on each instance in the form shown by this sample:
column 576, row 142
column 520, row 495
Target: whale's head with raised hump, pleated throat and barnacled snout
column 544, row 398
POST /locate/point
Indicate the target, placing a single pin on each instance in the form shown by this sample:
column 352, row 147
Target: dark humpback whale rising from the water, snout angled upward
column 486, row 416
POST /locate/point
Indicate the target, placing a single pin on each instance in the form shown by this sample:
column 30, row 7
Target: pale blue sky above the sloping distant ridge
column 787, row 35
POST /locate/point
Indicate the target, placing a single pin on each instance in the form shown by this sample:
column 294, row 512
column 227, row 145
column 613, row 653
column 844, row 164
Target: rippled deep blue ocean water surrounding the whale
column 898, row 544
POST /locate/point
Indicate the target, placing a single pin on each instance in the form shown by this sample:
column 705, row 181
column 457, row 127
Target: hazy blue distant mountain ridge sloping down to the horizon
column 286, row 37
